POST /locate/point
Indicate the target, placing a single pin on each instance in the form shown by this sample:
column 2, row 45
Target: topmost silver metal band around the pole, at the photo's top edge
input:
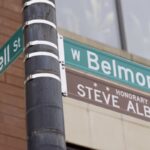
column 39, row 1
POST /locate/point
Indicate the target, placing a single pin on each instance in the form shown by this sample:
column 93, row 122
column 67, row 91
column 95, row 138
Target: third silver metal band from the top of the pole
column 41, row 42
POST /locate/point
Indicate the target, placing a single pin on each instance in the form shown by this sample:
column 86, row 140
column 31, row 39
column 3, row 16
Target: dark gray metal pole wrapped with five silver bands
column 45, row 122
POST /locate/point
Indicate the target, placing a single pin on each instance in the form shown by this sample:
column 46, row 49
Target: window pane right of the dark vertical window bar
column 137, row 26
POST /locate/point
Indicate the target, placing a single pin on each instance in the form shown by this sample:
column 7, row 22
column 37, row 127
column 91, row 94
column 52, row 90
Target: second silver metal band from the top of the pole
column 38, row 21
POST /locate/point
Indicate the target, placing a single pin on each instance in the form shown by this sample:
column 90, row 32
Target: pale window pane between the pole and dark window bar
column 94, row 19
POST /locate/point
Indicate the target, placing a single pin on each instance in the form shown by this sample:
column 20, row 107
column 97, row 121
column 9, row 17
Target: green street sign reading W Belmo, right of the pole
column 106, row 65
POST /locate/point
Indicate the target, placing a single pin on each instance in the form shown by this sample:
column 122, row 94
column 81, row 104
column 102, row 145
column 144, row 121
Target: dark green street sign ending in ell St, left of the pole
column 11, row 50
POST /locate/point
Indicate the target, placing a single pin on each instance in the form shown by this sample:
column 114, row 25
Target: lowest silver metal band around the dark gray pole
column 41, row 75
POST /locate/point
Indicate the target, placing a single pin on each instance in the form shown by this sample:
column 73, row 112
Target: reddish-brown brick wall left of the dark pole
column 12, row 104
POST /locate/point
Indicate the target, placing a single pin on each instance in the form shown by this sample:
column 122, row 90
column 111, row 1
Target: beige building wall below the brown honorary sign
column 102, row 129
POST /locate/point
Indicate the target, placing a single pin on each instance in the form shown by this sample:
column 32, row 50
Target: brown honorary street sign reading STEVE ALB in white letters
column 107, row 95
